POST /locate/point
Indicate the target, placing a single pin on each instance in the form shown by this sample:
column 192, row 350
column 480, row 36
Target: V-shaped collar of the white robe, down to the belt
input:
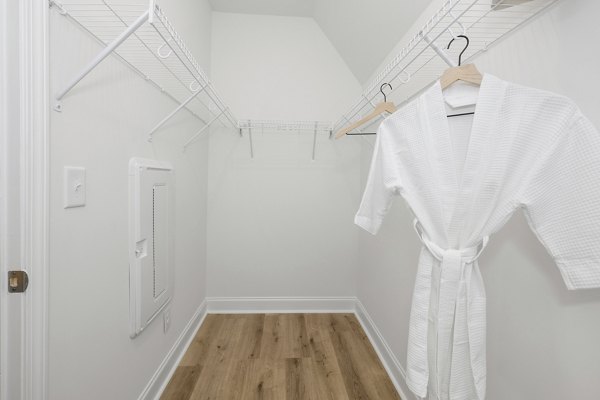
column 458, row 194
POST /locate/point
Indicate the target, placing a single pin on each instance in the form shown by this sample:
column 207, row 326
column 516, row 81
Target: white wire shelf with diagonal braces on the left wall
column 142, row 37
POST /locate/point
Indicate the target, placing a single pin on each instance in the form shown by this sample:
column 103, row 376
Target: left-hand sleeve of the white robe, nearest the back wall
column 382, row 184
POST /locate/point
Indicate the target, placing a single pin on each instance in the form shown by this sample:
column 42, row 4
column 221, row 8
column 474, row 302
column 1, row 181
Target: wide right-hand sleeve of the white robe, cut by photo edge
column 562, row 202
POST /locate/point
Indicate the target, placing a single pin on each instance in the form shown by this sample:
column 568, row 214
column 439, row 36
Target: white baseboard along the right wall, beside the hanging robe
column 388, row 359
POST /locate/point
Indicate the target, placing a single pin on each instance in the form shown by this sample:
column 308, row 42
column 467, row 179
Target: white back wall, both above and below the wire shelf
column 280, row 224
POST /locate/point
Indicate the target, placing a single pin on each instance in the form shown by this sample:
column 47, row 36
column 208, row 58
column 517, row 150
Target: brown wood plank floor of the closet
column 280, row 357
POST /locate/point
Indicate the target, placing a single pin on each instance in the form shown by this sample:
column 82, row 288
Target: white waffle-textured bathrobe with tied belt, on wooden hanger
column 526, row 149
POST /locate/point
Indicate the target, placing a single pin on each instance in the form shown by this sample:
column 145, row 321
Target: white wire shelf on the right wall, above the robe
column 422, row 61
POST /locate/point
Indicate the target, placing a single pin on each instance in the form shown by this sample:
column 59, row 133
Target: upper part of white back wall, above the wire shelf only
column 271, row 67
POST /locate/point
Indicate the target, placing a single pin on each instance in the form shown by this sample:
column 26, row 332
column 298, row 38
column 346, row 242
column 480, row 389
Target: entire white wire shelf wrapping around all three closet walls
column 144, row 39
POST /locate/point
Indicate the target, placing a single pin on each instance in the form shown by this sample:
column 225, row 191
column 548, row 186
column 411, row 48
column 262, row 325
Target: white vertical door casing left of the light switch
column 34, row 106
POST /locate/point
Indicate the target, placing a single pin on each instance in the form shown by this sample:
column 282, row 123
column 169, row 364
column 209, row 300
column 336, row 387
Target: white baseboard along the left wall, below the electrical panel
column 166, row 369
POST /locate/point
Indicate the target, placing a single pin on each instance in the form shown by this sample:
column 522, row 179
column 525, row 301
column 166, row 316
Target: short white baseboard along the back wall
column 256, row 305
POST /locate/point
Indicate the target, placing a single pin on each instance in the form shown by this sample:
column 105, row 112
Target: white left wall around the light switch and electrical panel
column 103, row 124
